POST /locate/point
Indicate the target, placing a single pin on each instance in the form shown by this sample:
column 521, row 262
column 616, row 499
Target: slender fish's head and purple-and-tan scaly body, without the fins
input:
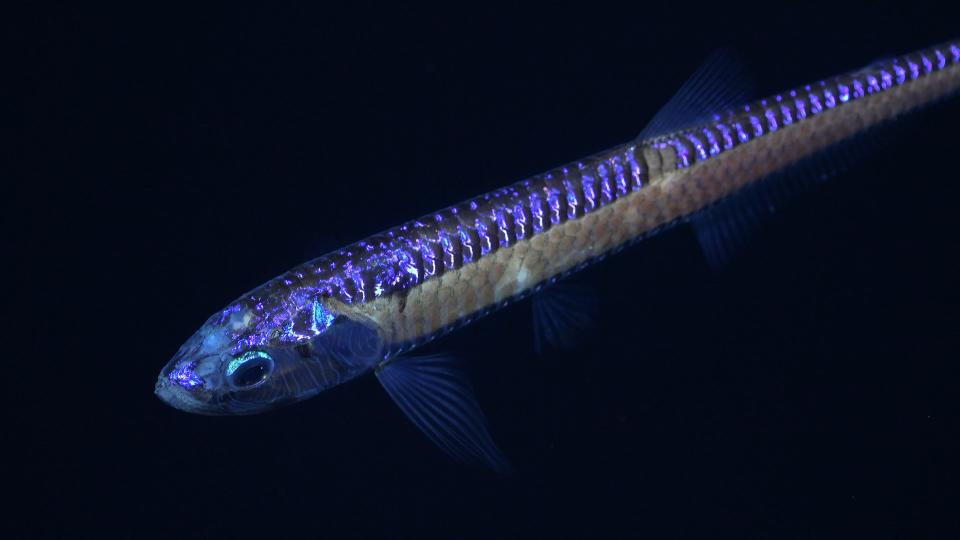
column 354, row 310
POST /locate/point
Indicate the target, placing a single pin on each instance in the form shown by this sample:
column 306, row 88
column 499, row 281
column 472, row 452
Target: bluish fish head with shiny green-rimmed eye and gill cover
column 248, row 359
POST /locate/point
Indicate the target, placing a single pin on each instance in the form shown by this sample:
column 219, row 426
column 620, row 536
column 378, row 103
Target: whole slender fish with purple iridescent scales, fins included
column 709, row 158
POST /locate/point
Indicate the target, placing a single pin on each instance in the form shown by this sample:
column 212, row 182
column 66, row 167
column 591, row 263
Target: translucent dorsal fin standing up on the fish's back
column 722, row 82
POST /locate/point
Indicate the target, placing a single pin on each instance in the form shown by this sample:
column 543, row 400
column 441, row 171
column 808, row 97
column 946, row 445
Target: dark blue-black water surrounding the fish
column 168, row 160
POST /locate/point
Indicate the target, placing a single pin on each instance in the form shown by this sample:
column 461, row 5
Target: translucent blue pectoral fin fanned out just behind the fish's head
column 436, row 396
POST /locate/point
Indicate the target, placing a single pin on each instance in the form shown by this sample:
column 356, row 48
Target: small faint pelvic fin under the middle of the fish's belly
column 562, row 315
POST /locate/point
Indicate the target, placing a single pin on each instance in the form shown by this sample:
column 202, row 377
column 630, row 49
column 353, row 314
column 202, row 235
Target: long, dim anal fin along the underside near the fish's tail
column 726, row 228
